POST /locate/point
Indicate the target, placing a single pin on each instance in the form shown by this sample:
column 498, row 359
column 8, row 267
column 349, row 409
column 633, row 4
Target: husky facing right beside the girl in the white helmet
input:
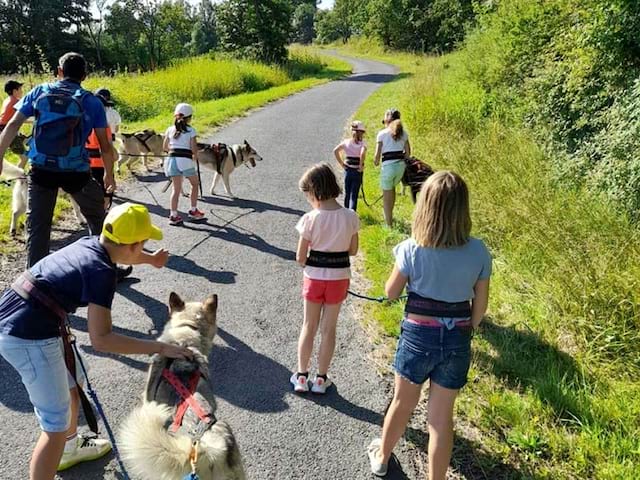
column 223, row 160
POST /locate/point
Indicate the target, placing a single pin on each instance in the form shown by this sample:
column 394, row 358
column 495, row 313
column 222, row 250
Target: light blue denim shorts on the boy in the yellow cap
column 44, row 374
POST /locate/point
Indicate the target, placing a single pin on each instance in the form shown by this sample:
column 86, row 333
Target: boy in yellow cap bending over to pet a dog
column 34, row 336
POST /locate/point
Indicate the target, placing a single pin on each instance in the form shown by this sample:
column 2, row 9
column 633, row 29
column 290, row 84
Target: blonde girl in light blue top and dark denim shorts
column 446, row 273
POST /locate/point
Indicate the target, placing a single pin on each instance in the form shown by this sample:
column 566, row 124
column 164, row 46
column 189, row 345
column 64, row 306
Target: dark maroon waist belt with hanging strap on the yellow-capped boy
column 27, row 287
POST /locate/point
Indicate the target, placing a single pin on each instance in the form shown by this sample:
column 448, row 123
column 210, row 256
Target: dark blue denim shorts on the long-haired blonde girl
column 439, row 354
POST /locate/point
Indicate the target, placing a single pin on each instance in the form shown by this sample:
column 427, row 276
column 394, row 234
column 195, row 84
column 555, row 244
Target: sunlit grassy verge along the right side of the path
column 553, row 390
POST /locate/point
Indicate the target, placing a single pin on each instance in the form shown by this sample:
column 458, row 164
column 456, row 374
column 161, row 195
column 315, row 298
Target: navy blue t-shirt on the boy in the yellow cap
column 75, row 276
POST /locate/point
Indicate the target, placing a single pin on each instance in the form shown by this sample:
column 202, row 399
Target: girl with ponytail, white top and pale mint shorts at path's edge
column 392, row 147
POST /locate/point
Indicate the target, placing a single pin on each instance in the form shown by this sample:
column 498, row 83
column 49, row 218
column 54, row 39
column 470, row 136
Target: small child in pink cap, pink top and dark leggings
column 354, row 150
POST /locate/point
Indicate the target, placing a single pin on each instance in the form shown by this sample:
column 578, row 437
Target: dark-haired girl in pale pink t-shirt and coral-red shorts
column 328, row 237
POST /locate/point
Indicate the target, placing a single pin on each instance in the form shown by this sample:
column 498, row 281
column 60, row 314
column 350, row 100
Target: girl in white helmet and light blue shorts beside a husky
column 180, row 141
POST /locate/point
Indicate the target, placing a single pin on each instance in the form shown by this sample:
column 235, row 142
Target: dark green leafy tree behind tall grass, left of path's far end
column 255, row 29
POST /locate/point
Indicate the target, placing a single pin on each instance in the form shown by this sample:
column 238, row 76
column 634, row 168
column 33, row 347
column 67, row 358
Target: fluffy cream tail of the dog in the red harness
column 147, row 448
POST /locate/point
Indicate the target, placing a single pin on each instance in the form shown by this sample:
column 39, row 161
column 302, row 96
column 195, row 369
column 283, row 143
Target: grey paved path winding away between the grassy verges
column 245, row 254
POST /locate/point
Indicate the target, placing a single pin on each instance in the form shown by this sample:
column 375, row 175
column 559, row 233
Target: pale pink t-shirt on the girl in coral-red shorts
column 329, row 231
